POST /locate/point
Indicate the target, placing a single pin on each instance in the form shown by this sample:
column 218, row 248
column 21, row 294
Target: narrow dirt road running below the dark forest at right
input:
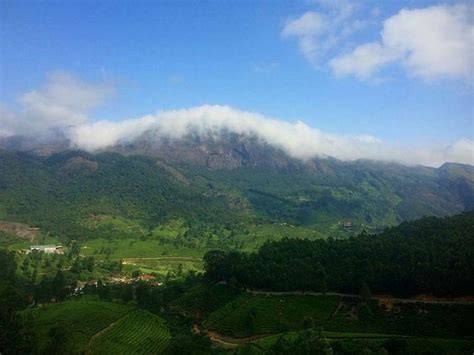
column 382, row 298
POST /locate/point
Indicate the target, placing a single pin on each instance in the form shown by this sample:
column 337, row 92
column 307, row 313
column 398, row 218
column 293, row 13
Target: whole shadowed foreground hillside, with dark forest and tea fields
column 251, row 311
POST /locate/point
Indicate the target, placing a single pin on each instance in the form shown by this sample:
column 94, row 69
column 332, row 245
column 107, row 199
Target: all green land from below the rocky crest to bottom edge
column 292, row 226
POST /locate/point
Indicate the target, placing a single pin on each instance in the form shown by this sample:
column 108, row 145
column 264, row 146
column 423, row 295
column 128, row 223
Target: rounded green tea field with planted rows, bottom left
column 89, row 325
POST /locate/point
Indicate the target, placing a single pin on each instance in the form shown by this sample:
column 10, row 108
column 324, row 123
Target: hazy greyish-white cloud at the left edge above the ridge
column 63, row 101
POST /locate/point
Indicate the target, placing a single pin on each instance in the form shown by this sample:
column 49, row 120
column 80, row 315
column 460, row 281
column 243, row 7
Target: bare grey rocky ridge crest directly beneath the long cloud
column 225, row 150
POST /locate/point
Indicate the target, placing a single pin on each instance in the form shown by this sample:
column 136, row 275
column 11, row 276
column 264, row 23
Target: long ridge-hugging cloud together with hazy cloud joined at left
column 65, row 102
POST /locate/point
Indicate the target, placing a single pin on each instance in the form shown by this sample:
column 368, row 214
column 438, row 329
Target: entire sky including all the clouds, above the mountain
column 380, row 79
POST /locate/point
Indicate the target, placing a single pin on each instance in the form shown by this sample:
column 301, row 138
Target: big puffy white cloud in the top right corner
column 430, row 43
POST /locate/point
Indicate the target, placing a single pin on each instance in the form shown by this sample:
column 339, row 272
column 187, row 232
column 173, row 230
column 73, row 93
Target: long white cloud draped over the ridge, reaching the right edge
column 297, row 139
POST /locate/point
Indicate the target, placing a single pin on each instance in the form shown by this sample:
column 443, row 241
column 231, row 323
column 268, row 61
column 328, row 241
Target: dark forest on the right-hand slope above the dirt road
column 431, row 255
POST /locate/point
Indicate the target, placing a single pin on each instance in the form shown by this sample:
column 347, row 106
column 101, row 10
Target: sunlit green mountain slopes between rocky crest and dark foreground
column 77, row 195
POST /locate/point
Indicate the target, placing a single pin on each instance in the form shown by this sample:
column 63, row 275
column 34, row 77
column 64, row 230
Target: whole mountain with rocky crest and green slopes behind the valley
column 229, row 179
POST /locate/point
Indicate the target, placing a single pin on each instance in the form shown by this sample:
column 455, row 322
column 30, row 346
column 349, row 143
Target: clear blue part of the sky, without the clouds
column 179, row 54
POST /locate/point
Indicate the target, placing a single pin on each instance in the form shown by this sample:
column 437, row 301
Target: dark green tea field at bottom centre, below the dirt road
column 259, row 314
